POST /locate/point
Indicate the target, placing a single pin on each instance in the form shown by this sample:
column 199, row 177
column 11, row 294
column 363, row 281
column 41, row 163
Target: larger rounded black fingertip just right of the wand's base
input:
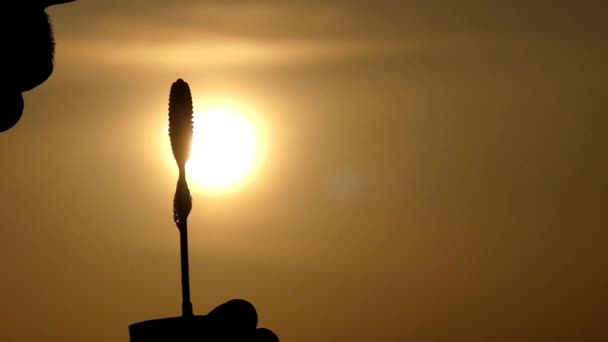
column 235, row 315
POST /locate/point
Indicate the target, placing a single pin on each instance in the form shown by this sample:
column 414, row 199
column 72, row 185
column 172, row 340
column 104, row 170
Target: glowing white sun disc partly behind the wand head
column 225, row 148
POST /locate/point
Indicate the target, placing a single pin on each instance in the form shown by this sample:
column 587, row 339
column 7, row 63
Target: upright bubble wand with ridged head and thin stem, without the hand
column 180, row 134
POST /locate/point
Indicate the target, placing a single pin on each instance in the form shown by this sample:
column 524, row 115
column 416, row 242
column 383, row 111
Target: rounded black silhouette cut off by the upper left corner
column 27, row 54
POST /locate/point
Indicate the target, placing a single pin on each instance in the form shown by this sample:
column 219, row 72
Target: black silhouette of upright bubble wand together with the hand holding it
column 234, row 321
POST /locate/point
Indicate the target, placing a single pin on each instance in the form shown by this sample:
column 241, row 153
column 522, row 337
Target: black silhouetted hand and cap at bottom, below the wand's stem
column 234, row 321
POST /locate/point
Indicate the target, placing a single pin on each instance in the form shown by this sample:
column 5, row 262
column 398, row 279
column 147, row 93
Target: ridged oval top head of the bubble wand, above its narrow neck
column 180, row 121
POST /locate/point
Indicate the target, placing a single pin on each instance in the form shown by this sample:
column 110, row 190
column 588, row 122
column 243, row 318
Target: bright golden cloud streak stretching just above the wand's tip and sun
column 212, row 53
